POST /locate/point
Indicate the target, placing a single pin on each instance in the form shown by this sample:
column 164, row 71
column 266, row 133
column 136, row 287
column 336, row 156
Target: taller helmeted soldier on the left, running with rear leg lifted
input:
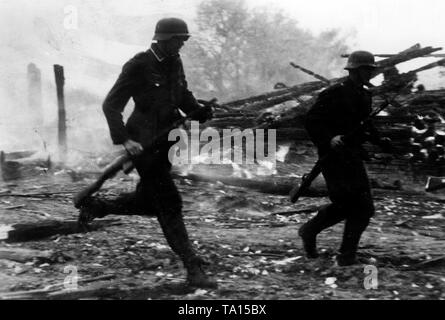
column 155, row 80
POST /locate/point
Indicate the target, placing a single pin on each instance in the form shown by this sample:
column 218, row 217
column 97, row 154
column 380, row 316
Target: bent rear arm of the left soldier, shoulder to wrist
column 117, row 99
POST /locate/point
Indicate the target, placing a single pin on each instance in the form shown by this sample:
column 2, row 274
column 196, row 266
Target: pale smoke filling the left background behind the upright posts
column 91, row 40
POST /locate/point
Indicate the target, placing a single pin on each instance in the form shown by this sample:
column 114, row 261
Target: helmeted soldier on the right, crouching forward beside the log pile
column 339, row 110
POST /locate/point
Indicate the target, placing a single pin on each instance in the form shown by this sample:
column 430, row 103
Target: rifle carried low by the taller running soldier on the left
column 125, row 161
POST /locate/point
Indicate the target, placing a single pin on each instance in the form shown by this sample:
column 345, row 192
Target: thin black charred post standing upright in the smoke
column 60, row 81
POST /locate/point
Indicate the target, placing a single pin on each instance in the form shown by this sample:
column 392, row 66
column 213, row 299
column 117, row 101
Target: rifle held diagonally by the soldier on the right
column 299, row 189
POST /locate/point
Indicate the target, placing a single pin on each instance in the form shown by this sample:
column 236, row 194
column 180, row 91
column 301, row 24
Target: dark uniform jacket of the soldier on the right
column 338, row 111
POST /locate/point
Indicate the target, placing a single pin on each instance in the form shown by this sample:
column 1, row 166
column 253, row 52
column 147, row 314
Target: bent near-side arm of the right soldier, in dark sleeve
column 316, row 121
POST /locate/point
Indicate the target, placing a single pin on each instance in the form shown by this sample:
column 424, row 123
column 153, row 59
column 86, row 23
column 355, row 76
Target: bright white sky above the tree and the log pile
column 382, row 26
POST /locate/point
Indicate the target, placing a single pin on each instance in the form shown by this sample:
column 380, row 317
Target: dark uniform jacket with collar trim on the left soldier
column 158, row 87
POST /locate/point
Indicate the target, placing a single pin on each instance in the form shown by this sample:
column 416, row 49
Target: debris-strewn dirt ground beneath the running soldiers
column 253, row 253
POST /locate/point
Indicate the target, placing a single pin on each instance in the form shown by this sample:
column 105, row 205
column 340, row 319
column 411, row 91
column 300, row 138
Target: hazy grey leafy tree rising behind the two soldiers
column 239, row 52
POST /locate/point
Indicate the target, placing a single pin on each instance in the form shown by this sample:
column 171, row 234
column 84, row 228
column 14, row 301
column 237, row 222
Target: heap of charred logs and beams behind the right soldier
column 415, row 123
